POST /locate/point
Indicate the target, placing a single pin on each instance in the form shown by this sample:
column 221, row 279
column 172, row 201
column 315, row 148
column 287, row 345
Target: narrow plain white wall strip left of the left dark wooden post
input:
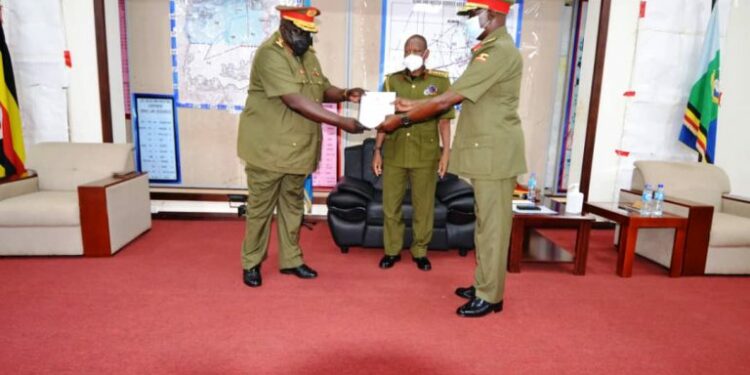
column 84, row 114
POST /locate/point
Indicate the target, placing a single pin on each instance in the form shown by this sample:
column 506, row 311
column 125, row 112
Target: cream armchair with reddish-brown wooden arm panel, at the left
column 79, row 199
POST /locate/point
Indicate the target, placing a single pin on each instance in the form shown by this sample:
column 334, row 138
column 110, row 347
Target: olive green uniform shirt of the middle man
column 418, row 145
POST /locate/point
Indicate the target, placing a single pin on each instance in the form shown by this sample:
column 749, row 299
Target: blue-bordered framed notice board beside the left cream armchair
column 156, row 137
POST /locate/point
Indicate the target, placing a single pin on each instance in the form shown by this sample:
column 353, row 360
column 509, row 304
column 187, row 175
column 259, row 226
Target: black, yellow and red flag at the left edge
column 11, row 136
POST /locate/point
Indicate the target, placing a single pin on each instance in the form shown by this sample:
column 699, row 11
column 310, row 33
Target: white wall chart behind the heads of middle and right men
column 436, row 20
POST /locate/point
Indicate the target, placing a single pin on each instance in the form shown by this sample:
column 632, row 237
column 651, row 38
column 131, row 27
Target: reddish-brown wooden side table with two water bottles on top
column 630, row 222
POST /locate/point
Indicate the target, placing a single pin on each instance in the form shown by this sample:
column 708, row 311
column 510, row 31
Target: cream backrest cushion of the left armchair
column 64, row 166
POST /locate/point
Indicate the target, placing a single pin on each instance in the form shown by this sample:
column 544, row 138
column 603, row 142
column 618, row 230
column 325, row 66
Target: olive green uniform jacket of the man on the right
column 489, row 141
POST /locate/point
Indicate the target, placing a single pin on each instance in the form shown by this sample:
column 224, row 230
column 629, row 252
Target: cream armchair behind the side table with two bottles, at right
column 718, row 233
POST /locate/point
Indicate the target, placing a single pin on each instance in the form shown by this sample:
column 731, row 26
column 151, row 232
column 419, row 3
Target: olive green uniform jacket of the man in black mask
column 271, row 135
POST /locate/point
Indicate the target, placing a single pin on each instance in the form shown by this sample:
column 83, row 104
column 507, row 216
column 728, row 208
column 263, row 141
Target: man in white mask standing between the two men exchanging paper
column 410, row 157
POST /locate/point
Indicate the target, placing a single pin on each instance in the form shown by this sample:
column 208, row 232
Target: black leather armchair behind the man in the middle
column 355, row 208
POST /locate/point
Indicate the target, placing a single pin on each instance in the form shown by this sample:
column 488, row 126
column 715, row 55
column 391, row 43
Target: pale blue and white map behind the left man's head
column 213, row 45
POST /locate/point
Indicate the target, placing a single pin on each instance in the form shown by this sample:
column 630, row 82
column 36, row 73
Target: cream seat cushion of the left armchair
column 41, row 209
